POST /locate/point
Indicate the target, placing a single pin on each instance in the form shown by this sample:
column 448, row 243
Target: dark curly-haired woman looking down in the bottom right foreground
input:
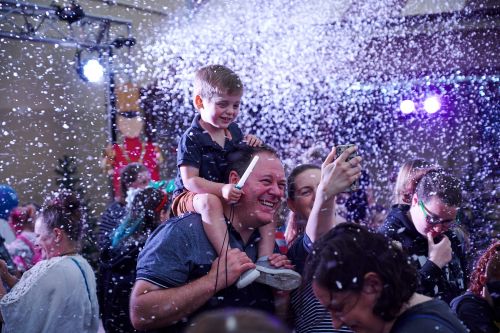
column 366, row 283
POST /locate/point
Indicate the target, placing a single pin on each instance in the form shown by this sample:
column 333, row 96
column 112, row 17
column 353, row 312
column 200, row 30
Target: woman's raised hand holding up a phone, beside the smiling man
column 337, row 174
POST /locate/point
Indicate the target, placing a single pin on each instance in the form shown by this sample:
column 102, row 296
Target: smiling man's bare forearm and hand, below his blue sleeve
column 154, row 307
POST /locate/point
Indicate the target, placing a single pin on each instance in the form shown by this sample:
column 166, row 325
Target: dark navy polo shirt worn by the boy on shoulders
column 197, row 149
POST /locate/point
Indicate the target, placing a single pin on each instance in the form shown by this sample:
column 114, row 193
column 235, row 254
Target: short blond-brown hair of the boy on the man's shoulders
column 213, row 80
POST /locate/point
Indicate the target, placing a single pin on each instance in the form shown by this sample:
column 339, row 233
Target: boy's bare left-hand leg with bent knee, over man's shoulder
column 210, row 208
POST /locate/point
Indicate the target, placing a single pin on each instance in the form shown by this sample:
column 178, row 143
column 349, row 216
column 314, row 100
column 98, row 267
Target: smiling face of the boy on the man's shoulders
column 219, row 111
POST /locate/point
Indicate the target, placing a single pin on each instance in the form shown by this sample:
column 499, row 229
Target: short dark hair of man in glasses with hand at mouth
column 442, row 185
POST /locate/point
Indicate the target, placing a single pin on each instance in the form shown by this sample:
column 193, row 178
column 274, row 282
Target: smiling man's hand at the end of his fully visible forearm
column 237, row 263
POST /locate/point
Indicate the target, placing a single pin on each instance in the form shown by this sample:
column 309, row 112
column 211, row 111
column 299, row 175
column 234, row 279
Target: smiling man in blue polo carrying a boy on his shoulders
column 179, row 272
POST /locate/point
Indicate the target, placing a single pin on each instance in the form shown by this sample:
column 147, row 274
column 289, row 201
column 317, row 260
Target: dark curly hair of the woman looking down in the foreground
column 342, row 257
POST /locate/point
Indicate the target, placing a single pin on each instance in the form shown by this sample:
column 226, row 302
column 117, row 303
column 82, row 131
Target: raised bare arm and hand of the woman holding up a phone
column 336, row 176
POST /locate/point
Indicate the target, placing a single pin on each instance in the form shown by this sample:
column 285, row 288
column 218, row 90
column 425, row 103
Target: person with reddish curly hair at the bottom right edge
column 479, row 307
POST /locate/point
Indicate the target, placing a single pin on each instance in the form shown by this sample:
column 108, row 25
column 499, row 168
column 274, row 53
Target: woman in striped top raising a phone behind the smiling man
column 312, row 194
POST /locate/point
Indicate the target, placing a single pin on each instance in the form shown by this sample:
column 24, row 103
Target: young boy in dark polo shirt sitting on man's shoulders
column 201, row 160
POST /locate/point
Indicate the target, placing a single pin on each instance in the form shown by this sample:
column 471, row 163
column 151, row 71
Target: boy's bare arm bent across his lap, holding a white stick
column 196, row 184
